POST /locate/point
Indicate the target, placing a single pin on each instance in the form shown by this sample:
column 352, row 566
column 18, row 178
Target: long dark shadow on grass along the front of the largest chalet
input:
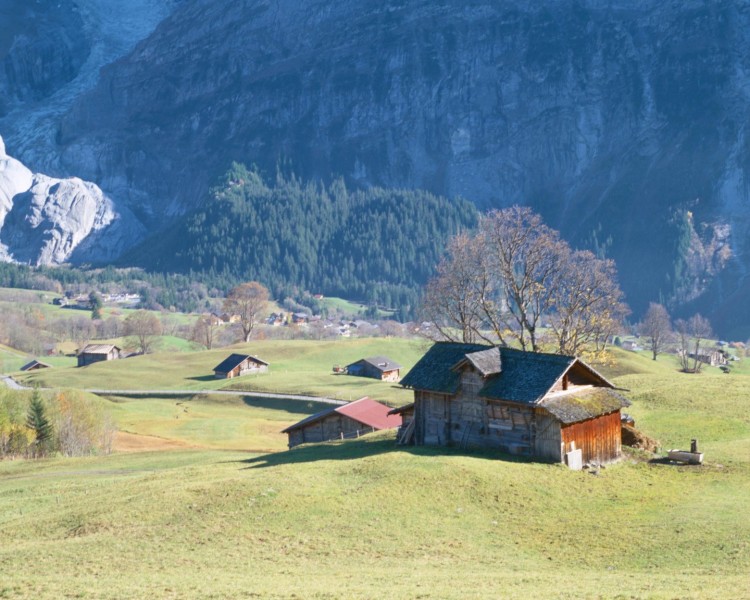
column 362, row 448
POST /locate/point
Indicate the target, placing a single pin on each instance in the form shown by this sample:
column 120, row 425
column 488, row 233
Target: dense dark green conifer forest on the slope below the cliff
column 377, row 245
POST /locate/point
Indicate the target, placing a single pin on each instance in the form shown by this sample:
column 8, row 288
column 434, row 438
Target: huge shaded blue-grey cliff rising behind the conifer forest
column 611, row 119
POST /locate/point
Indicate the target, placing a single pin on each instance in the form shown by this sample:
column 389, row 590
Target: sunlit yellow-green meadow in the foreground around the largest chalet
column 368, row 519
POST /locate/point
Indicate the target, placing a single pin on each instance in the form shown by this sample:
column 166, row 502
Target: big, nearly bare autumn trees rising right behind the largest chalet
column 516, row 274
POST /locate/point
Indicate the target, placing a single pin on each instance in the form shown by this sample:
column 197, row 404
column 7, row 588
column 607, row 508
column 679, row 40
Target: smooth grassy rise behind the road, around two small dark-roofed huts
column 297, row 367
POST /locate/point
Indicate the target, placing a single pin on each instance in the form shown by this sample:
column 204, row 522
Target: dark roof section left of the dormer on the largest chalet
column 433, row 372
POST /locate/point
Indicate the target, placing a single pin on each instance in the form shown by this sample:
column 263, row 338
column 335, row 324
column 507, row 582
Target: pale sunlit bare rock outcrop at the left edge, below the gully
column 44, row 220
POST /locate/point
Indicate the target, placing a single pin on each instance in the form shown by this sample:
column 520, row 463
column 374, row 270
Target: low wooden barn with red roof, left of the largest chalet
column 351, row 420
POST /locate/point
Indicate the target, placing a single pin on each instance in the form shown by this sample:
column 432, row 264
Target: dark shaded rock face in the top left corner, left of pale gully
column 42, row 48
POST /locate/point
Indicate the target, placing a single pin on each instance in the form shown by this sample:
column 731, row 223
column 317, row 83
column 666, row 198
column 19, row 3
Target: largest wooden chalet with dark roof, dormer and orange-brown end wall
column 538, row 405
